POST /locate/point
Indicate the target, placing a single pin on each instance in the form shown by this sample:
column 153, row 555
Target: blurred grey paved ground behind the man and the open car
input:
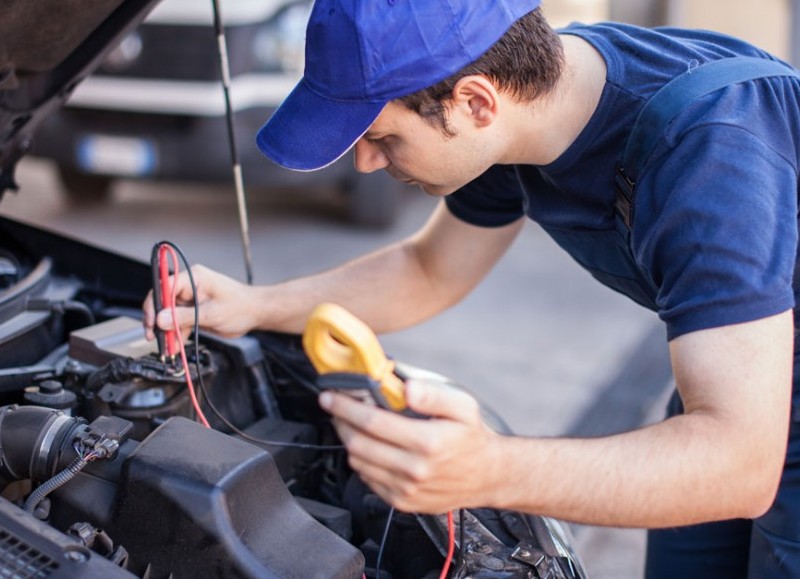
column 541, row 342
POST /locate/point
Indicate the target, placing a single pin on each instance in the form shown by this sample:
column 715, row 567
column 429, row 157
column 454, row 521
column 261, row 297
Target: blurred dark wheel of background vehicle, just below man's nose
column 372, row 199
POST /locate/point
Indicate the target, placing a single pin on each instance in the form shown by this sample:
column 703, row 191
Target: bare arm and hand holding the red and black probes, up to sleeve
column 391, row 288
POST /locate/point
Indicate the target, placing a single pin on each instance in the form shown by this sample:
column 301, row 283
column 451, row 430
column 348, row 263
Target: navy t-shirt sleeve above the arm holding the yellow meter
column 718, row 231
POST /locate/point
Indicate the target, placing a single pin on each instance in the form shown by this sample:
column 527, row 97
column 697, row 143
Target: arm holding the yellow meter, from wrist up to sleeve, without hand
column 722, row 459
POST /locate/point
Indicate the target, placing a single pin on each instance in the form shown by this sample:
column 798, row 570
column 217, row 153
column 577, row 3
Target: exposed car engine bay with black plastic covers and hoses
column 105, row 472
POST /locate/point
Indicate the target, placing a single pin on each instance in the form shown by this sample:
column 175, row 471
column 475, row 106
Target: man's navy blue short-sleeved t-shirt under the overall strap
column 714, row 234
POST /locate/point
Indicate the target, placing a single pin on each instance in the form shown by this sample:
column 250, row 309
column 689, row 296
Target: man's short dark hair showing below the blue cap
column 526, row 61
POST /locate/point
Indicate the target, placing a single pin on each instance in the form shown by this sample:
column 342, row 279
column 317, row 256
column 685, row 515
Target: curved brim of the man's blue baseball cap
column 309, row 132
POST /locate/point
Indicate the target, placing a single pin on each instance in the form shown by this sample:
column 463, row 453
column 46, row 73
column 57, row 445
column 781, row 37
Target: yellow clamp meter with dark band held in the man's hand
column 348, row 357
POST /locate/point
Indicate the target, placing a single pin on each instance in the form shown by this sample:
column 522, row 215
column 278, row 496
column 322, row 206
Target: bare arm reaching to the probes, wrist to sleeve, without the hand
column 400, row 285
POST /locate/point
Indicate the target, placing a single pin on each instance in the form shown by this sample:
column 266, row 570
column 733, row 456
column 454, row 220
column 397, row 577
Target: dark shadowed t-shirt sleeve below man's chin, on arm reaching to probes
column 492, row 200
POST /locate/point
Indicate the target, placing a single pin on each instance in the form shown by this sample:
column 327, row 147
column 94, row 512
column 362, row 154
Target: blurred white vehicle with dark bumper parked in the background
column 155, row 108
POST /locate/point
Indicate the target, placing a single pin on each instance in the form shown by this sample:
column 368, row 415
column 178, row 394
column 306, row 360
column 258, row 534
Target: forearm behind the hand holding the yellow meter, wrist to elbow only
column 682, row 471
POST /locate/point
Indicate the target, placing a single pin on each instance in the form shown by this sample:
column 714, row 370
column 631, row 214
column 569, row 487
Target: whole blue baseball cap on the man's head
column 361, row 54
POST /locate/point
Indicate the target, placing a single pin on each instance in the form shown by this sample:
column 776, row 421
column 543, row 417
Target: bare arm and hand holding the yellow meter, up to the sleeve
column 721, row 459
